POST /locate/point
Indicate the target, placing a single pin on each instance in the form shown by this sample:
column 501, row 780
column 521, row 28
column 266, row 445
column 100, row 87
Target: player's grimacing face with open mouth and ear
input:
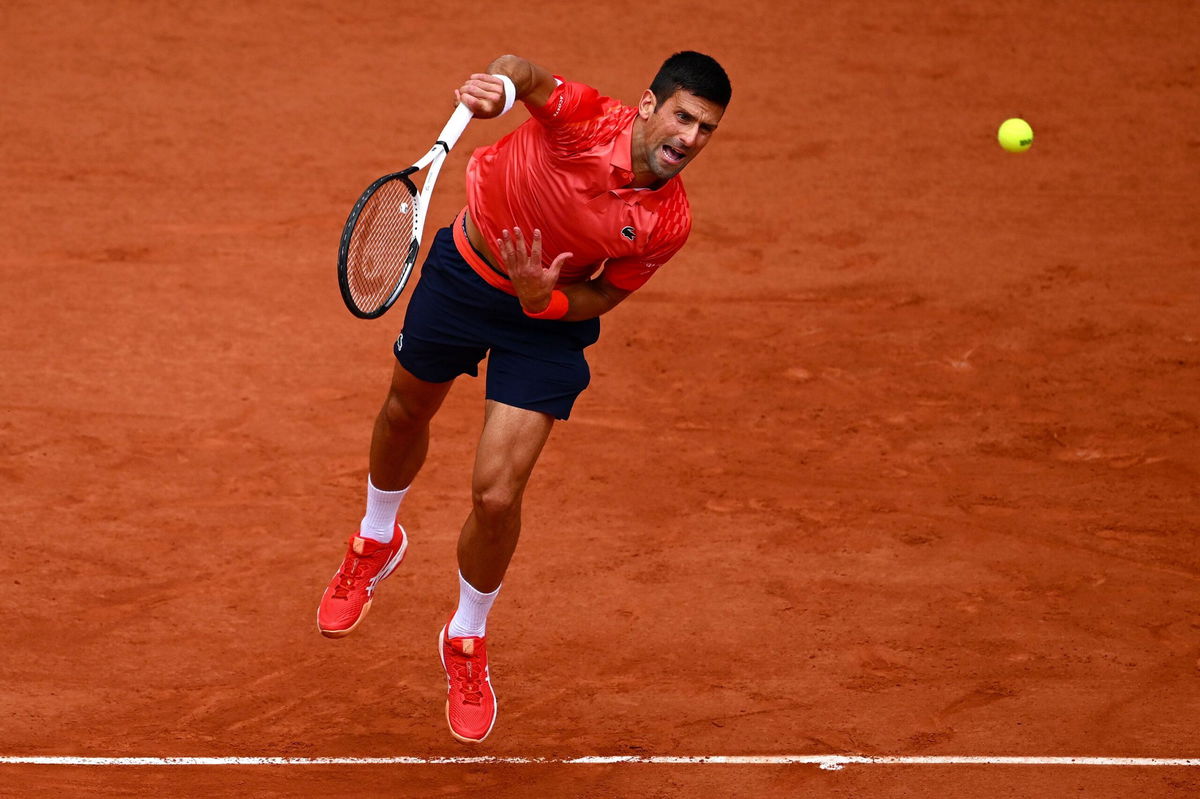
column 675, row 131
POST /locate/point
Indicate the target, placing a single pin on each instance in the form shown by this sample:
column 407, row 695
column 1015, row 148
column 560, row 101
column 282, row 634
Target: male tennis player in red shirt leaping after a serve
column 566, row 218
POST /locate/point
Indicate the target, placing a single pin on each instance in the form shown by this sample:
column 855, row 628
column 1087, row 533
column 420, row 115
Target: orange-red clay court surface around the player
column 899, row 456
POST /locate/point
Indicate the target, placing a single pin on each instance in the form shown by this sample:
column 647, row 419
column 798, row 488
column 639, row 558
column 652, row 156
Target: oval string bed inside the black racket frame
column 381, row 244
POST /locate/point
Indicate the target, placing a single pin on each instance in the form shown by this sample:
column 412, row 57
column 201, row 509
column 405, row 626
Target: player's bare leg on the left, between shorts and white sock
column 401, row 437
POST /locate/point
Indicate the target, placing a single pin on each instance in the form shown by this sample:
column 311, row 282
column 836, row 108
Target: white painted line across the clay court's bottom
column 829, row 762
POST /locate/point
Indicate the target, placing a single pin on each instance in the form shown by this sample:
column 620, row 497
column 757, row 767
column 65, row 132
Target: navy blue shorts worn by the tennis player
column 455, row 319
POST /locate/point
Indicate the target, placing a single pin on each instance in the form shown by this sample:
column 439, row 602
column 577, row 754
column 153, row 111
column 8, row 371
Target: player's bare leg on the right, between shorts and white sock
column 508, row 450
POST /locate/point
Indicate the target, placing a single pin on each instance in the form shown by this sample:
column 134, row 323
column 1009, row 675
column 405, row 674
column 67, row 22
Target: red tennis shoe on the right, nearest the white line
column 471, row 702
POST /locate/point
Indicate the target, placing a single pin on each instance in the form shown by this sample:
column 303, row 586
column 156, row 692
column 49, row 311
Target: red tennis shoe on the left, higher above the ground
column 349, row 597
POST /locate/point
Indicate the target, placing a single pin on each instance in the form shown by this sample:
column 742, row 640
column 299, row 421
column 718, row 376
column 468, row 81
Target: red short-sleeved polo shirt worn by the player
column 565, row 172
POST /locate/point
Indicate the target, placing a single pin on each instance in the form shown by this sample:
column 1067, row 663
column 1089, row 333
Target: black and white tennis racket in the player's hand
column 383, row 233
